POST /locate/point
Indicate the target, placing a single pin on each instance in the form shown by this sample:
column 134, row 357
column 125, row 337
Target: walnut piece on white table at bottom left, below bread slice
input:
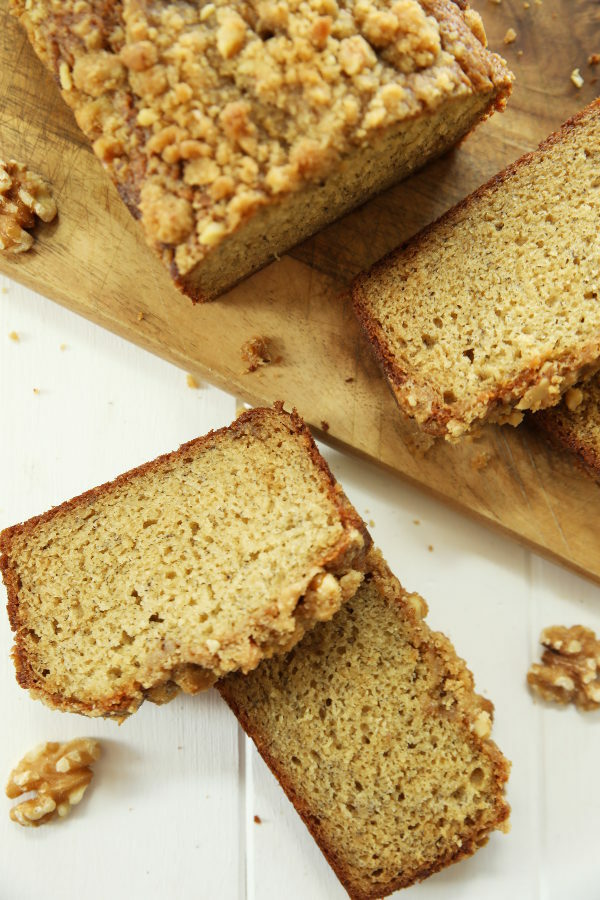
column 59, row 775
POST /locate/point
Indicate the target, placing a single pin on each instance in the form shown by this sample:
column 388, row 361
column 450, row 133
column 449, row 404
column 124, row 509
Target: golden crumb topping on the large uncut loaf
column 217, row 108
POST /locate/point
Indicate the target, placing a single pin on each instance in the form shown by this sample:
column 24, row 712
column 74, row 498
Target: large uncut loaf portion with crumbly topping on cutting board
column 234, row 129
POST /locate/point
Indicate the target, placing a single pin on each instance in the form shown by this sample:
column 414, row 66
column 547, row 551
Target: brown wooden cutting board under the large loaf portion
column 94, row 261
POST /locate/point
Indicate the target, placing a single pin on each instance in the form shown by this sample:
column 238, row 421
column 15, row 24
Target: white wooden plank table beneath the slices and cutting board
column 171, row 811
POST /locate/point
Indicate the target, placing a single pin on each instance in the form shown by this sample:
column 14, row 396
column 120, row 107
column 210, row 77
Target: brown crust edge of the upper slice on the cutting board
column 396, row 374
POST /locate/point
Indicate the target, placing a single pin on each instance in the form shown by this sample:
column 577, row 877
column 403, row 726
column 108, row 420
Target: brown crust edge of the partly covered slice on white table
column 428, row 642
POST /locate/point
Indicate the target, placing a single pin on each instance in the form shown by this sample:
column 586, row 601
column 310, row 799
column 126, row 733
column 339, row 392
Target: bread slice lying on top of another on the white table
column 201, row 562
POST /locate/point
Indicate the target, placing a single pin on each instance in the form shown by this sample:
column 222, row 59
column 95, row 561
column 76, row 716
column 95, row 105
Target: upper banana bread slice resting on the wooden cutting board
column 494, row 309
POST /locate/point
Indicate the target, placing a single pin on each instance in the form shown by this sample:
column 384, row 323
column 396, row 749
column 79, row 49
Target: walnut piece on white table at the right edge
column 570, row 668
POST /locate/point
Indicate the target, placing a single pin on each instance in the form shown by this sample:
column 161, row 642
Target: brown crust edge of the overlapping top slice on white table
column 117, row 705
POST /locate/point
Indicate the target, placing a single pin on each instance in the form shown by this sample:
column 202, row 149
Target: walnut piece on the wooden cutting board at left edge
column 23, row 196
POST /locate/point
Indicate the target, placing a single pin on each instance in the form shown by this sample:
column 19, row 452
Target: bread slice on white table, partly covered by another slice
column 373, row 729
